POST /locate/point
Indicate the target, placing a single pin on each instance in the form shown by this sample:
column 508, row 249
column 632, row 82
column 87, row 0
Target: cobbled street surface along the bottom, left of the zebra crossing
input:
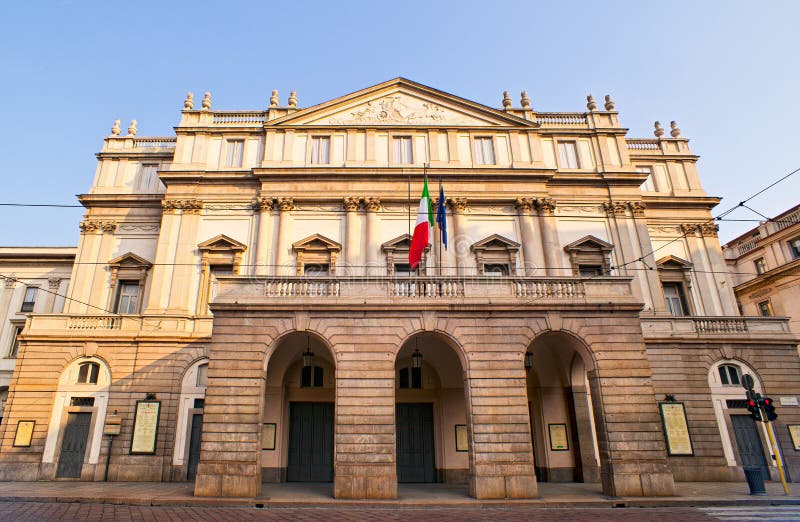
column 45, row 512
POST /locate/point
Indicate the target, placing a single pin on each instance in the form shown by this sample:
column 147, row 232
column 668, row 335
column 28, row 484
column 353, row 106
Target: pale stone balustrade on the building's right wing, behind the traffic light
column 711, row 327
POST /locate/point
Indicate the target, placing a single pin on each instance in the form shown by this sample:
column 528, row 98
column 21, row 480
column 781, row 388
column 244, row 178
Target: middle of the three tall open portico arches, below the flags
column 430, row 411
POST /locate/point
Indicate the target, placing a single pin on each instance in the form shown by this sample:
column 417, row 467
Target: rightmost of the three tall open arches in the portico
column 560, row 408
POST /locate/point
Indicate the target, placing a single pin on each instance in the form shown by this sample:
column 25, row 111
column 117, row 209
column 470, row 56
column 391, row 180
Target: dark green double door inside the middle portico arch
column 415, row 459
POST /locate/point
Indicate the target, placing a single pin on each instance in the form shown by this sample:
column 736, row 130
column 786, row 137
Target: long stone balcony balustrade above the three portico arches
column 426, row 291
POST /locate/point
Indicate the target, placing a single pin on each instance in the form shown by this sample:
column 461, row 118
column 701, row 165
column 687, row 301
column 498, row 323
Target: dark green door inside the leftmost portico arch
column 310, row 442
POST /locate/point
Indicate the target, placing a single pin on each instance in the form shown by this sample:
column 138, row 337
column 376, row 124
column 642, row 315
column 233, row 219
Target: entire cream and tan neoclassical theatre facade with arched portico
column 241, row 310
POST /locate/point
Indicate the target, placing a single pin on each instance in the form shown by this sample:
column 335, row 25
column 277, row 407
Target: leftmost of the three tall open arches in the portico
column 297, row 438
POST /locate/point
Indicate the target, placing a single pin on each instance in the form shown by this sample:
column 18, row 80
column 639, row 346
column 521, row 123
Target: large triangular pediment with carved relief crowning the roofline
column 401, row 102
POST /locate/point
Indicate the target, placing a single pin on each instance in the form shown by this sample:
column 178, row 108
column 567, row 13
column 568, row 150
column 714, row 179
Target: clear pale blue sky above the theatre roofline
column 726, row 71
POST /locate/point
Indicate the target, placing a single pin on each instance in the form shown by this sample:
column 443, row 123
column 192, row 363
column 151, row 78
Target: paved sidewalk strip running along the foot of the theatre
column 410, row 495
